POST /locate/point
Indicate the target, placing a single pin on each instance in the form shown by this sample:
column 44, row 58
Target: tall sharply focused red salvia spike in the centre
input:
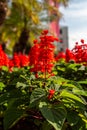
column 46, row 52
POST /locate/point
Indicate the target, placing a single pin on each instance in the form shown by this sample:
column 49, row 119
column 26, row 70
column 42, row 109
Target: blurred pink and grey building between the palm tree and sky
column 57, row 30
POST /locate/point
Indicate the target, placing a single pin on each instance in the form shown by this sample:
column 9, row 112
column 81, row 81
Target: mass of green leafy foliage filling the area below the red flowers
column 23, row 95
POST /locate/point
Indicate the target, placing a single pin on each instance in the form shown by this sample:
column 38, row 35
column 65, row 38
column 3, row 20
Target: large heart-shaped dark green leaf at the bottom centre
column 55, row 115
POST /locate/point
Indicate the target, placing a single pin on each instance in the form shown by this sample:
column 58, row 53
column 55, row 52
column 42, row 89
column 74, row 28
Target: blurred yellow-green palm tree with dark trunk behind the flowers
column 25, row 21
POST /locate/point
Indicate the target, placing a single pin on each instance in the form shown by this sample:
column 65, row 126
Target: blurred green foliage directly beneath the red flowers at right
column 72, row 71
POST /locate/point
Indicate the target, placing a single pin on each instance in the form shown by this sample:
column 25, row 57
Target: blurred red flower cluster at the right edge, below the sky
column 78, row 54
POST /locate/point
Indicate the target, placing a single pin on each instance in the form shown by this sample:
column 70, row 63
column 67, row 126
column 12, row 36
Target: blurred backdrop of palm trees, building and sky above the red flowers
column 21, row 21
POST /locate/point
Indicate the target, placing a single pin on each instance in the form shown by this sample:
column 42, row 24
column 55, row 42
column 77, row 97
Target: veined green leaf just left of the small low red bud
column 37, row 95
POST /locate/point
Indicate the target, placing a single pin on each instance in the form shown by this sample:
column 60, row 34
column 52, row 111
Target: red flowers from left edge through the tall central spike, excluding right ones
column 40, row 58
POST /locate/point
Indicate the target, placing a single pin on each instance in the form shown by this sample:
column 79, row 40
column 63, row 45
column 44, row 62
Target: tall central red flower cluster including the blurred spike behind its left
column 42, row 53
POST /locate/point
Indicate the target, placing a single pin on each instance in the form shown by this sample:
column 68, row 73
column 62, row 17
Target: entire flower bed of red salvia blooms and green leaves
column 43, row 91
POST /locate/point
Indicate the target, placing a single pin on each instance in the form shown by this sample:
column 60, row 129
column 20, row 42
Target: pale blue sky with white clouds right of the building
column 75, row 17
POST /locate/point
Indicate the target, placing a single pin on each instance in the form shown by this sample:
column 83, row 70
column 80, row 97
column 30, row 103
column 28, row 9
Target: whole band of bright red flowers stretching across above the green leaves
column 41, row 56
